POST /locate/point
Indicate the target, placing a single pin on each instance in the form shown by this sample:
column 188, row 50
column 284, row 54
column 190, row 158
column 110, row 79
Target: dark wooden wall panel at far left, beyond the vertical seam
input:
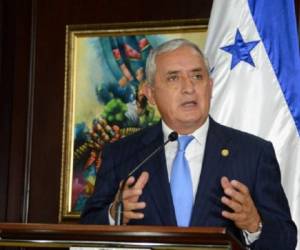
column 15, row 50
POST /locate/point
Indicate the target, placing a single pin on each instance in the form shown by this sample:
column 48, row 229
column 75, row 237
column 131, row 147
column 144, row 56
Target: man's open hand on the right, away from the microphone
column 244, row 213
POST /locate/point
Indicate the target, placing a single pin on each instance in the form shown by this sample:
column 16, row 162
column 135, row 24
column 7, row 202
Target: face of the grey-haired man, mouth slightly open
column 182, row 89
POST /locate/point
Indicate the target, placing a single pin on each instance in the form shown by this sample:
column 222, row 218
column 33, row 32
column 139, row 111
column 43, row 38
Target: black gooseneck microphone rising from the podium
column 120, row 206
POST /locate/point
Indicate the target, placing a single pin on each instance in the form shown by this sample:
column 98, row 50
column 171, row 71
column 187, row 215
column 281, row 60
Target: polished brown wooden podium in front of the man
column 116, row 237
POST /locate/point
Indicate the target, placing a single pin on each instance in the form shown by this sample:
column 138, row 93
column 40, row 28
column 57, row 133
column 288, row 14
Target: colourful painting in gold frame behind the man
column 104, row 100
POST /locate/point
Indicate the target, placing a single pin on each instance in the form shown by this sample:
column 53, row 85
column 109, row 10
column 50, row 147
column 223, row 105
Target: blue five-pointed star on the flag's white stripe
column 240, row 50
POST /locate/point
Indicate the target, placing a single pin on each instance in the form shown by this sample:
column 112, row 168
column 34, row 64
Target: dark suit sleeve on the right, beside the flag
column 279, row 231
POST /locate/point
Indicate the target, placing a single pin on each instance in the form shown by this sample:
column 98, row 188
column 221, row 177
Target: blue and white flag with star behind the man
column 253, row 50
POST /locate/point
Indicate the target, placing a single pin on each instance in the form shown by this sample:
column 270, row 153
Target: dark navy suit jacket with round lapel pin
column 251, row 160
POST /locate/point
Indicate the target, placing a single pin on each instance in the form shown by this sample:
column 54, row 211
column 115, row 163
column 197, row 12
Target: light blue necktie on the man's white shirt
column 181, row 184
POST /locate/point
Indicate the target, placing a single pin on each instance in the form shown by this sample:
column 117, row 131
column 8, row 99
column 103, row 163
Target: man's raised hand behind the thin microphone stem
column 130, row 198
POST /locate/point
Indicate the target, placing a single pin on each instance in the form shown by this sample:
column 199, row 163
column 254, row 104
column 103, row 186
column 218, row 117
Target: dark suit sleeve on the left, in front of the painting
column 106, row 186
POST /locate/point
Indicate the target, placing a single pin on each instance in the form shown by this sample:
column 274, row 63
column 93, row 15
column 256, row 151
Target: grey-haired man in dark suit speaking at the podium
column 235, row 177
